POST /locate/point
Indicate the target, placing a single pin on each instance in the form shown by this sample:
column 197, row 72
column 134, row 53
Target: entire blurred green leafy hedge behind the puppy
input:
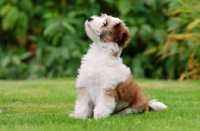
column 46, row 38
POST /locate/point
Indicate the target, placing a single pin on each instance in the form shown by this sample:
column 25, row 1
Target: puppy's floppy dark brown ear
column 120, row 34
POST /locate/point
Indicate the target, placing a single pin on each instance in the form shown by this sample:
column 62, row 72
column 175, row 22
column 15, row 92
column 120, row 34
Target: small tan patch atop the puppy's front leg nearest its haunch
column 110, row 94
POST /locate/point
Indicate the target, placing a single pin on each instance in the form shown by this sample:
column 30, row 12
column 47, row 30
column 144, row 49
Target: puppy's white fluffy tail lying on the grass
column 156, row 105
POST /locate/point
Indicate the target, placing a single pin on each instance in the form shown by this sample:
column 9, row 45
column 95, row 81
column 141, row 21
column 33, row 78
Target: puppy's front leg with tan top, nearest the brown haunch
column 106, row 103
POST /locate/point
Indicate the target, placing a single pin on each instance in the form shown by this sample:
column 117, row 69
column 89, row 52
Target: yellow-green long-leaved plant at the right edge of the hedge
column 180, row 51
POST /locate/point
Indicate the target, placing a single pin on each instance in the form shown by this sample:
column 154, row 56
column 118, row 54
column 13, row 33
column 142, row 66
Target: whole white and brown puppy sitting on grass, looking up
column 105, row 85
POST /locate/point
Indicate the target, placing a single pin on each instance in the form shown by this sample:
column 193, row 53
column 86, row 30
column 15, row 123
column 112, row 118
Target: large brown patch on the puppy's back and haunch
column 129, row 91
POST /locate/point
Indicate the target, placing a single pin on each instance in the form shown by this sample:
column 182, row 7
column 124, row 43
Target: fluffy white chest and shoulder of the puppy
column 102, row 72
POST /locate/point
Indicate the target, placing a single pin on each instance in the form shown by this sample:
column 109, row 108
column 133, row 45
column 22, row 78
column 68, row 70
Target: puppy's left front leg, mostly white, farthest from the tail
column 83, row 107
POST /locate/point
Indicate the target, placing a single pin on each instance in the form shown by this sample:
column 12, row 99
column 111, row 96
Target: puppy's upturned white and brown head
column 107, row 29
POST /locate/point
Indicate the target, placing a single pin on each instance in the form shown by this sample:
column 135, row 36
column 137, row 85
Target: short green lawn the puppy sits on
column 44, row 105
